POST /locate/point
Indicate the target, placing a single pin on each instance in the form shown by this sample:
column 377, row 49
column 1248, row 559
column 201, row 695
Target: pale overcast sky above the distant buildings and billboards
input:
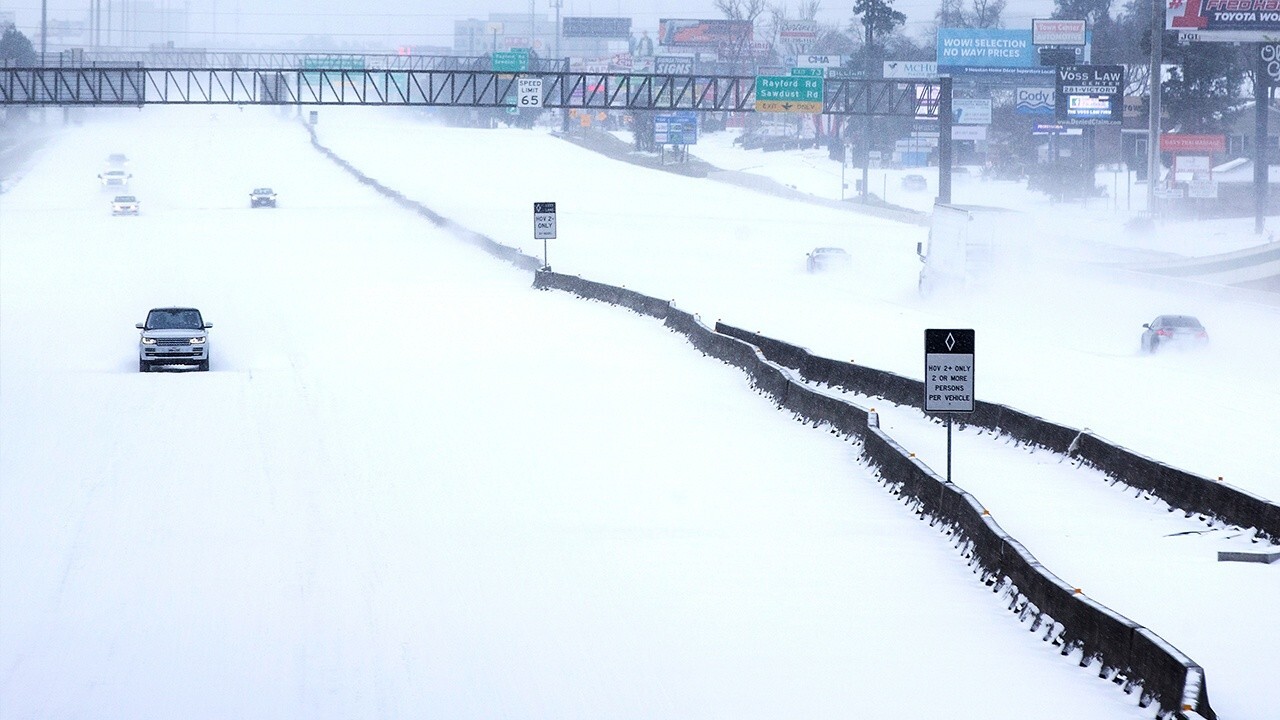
column 424, row 22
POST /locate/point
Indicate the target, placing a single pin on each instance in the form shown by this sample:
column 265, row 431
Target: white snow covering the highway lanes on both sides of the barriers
column 414, row 486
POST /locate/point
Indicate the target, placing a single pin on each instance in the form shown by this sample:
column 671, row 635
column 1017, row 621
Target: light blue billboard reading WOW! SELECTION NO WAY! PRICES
column 964, row 52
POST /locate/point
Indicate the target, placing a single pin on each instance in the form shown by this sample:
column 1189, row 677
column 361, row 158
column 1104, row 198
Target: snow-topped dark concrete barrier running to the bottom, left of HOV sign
column 1130, row 655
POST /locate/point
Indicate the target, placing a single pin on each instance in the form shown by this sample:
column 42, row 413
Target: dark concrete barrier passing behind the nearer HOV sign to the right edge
column 1192, row 494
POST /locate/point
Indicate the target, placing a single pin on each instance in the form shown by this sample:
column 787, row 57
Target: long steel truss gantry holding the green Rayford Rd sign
column 445, row 88
